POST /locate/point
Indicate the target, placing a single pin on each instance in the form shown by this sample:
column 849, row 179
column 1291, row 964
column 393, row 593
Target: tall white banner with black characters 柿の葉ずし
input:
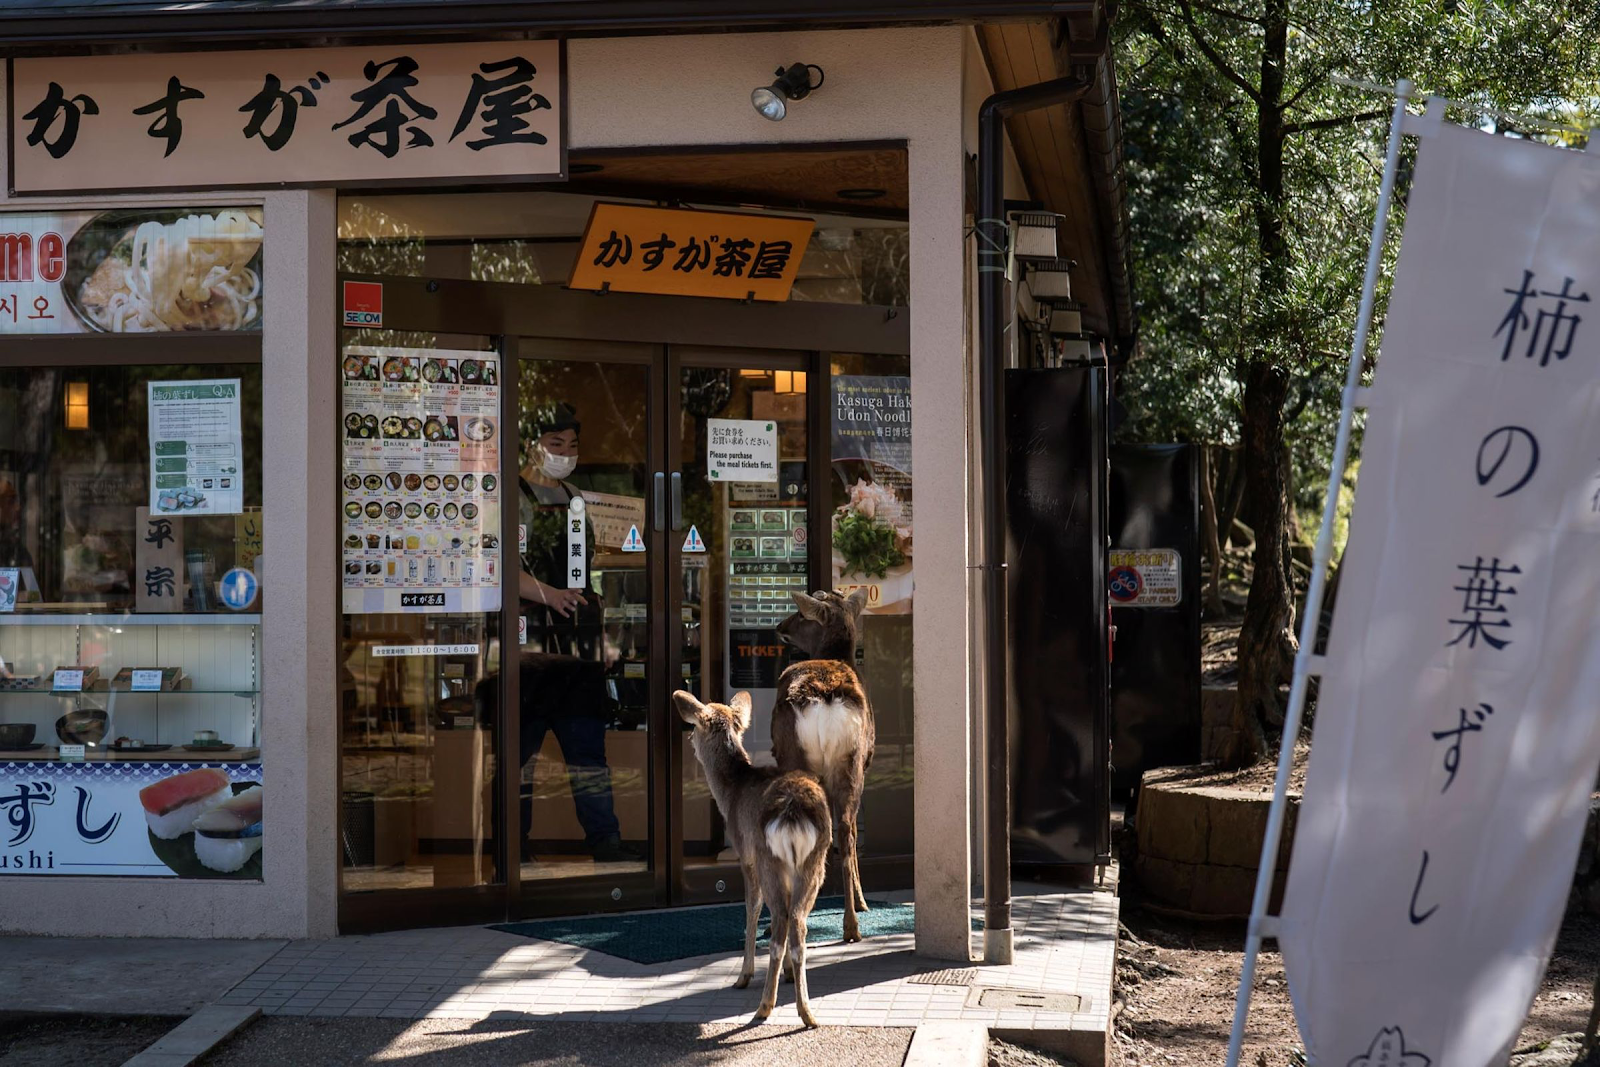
column 1457, row 737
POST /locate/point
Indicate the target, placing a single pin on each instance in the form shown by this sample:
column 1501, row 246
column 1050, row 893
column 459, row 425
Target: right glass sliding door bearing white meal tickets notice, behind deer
column 740, row 545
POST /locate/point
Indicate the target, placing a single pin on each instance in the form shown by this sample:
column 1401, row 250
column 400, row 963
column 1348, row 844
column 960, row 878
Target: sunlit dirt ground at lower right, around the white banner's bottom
column 1178, row 981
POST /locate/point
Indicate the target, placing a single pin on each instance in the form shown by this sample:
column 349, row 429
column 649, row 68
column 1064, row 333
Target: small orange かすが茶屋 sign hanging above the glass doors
column 633, row 249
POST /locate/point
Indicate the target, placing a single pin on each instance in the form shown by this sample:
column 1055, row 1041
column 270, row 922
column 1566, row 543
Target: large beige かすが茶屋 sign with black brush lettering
column 314, row 116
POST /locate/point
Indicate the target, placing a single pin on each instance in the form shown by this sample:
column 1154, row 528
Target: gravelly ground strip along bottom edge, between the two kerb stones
column 521, row 1042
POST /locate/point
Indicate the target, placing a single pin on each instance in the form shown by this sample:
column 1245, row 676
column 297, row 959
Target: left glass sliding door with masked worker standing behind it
column 590, row 687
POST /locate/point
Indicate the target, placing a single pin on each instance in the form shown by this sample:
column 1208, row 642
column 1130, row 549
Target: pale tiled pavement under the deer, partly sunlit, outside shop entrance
column 1065, row 943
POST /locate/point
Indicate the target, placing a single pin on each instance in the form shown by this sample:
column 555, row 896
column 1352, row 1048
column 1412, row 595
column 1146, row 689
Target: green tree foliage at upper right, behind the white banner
column 1201, row 92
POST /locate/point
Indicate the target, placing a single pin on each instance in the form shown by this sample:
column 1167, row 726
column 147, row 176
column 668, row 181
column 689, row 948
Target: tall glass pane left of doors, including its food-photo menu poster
column 422, row 575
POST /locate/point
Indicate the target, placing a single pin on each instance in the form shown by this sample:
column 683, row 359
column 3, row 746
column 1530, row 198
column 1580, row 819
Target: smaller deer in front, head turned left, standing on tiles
column 780, row 826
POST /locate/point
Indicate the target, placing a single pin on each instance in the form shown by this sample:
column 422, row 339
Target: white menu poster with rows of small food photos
column 422, row 481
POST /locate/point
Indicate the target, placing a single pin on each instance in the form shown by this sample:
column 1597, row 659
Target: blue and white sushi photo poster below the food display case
column 130, row 820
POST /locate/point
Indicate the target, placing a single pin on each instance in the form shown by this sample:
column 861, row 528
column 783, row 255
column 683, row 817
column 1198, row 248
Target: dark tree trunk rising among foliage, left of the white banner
column 1266, row 641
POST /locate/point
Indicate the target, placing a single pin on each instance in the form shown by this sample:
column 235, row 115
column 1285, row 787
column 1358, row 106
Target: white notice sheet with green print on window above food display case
column 198, row 454
